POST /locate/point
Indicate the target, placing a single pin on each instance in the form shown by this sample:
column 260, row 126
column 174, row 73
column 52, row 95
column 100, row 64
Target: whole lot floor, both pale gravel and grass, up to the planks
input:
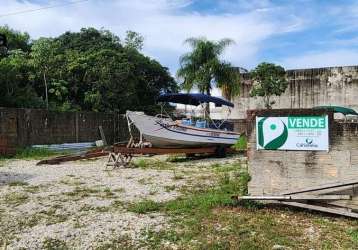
column 159, row 203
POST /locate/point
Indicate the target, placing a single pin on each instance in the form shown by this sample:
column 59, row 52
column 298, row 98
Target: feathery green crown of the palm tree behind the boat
column 202, row 67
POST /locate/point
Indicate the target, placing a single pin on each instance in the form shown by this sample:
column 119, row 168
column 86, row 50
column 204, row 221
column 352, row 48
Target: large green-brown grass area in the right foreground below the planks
column 207, row 218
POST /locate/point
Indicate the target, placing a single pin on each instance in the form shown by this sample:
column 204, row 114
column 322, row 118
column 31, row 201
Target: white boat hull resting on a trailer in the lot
column 164, row 132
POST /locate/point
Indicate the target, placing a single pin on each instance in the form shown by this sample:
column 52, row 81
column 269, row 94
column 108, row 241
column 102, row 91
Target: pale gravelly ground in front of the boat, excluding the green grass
column 84, row 206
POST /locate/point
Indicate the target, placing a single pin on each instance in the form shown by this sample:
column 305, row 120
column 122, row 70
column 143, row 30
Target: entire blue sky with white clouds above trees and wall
column 294, row 34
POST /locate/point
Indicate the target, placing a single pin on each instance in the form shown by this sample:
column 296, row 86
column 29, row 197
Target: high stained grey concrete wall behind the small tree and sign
column 307, row 88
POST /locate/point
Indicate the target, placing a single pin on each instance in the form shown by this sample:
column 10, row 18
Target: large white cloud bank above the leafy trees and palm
column 163, row 23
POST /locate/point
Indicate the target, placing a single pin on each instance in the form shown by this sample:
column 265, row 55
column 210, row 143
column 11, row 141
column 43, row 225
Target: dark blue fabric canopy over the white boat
column 193, row 99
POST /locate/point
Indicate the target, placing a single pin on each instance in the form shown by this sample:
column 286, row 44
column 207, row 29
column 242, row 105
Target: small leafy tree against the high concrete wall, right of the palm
column 269, row 79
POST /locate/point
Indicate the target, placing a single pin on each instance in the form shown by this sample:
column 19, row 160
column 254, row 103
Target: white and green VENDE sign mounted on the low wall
column 292, row 133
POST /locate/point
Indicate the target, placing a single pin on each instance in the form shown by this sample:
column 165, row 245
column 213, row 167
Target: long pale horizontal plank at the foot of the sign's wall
column 297, row 197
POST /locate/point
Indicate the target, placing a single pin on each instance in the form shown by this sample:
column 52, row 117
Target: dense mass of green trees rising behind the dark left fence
column 87, row 70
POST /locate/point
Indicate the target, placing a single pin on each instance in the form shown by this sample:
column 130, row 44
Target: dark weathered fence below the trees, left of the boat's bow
column 23, row 127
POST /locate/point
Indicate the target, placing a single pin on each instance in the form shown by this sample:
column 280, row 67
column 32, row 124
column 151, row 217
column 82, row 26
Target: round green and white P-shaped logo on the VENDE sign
column 277, row 140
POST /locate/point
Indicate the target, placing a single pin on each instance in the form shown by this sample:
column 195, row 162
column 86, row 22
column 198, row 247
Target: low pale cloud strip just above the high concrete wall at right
column 322, row 59
